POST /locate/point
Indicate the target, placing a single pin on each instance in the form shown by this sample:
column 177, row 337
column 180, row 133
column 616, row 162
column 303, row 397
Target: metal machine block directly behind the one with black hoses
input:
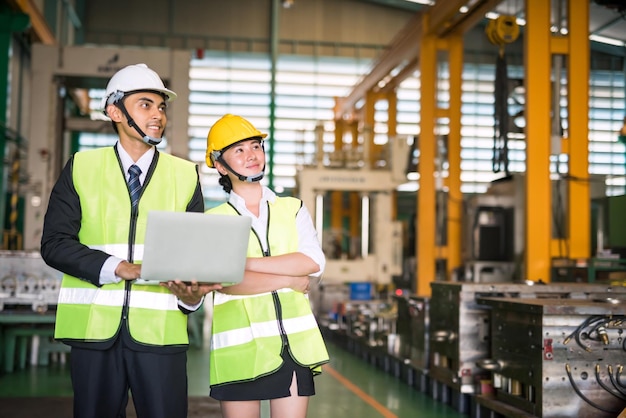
column 460, row 330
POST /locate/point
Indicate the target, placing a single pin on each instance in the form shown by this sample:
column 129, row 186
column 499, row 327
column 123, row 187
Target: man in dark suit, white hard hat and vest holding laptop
column 123, row 335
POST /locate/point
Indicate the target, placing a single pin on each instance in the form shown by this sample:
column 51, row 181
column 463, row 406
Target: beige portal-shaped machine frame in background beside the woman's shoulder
column 376, row 255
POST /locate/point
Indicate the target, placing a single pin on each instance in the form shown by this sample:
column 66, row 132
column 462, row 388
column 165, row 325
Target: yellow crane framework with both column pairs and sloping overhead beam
column 440, row 29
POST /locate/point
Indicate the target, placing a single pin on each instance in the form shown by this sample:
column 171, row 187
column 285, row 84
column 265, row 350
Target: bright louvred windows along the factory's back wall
column 239, row 83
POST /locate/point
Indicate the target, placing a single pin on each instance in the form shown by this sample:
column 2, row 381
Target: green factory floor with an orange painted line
column 349, row 387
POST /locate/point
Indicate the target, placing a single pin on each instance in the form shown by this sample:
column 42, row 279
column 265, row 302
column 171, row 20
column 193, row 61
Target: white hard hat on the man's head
column 137, row 77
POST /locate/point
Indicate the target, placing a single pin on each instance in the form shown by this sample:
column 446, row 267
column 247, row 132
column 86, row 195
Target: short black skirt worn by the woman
column 273, row 386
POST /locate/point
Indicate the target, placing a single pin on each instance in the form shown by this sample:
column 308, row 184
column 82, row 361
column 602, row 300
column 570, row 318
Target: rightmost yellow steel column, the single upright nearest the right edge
column 579, row 206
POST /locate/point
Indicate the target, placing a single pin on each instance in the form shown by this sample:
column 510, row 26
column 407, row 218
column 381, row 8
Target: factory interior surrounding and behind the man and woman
column 464, row 163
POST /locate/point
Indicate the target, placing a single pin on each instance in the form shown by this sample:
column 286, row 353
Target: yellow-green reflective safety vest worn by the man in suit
column 89, row 313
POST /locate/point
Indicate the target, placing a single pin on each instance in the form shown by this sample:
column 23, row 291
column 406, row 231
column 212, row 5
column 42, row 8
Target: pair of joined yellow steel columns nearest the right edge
column 539, row 47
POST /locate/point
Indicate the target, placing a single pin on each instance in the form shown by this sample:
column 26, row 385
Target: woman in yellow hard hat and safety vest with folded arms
column 265, row 343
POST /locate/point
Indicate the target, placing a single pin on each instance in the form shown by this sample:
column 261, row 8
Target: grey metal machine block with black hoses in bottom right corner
column 557, row 357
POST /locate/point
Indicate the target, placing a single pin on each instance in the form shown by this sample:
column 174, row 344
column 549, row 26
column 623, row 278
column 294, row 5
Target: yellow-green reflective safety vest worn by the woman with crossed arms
column 249, row 331
